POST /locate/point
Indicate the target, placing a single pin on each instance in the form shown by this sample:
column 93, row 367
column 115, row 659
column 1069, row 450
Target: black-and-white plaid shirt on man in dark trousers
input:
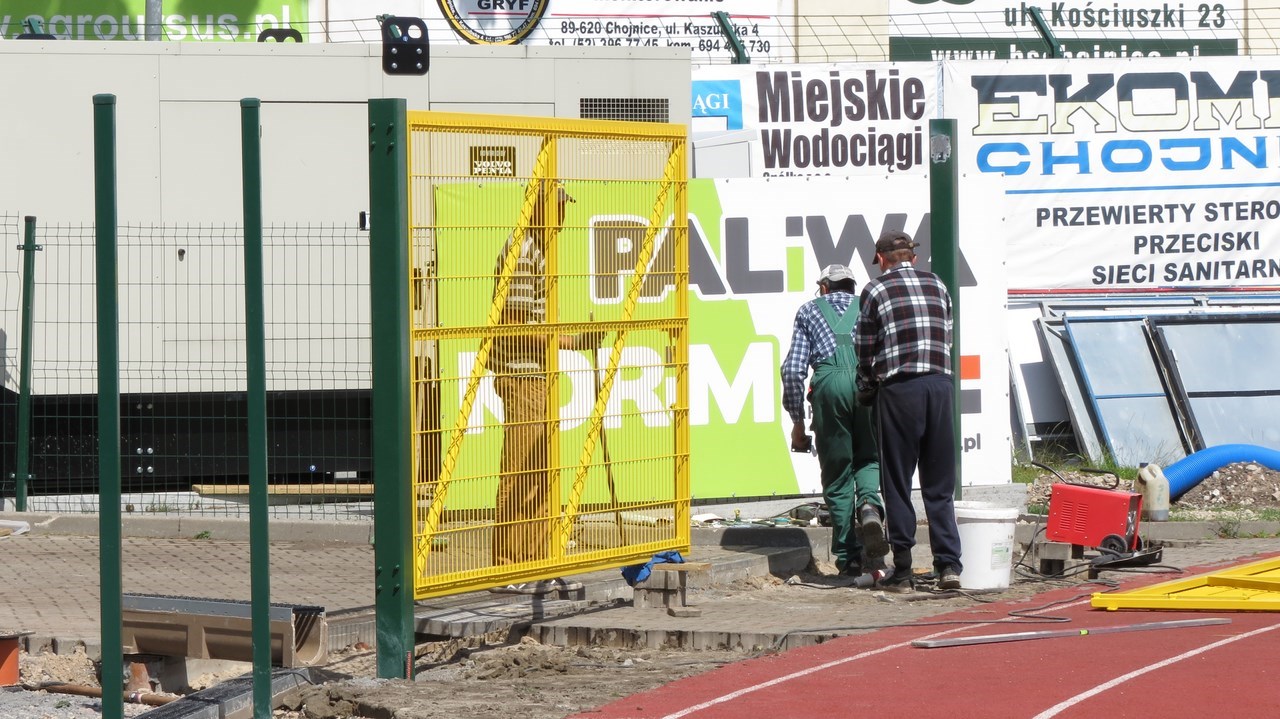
column 904, row 327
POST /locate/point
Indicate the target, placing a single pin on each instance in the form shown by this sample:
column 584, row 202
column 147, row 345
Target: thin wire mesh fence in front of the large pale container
column 184, row 410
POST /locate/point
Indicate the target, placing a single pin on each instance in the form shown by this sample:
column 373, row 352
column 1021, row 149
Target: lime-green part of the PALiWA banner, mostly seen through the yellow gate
column 733, row 367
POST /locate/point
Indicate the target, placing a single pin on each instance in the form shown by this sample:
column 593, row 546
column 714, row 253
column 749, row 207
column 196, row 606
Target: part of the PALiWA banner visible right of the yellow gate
column 756, row 251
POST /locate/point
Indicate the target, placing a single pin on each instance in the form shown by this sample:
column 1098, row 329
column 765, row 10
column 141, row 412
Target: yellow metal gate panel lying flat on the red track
column 1249, row 588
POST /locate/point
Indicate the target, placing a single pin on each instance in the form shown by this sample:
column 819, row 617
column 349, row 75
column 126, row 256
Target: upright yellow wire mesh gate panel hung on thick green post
column 550, row 333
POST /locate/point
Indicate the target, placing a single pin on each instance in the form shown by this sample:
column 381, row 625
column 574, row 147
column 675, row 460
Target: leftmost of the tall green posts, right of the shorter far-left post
column 111, row 567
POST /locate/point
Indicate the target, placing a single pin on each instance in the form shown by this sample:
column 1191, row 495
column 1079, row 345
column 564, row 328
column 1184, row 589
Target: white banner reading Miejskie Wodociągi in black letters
column 821, row 120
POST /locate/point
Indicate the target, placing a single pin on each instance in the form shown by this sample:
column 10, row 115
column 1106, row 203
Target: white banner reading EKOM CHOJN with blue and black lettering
column 1114, row 176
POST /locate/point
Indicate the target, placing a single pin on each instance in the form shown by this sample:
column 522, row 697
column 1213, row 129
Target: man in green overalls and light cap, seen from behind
column 822, row 340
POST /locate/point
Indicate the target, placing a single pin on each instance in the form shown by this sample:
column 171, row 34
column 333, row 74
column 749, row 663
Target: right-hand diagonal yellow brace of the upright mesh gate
column 673, row 181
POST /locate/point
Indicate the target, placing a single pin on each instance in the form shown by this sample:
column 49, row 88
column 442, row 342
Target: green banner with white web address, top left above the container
column 202, row 21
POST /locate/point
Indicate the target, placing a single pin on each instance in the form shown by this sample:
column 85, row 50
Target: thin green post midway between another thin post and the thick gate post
column 255, row 361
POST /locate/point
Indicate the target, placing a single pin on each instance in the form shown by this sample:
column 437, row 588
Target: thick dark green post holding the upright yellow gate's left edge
column 388, row 260
